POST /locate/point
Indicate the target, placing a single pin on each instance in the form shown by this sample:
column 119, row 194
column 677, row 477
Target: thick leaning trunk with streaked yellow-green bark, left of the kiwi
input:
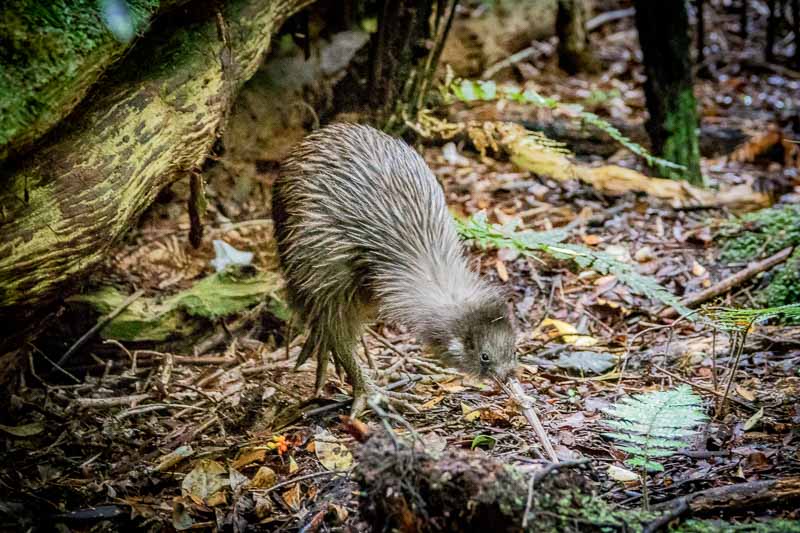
column 153, row 120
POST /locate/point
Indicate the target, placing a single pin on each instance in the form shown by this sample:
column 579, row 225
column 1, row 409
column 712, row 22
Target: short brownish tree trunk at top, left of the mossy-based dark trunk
column 574, row 53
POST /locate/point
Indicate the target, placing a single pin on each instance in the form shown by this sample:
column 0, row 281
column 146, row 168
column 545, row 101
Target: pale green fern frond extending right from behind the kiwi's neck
column 486, row 235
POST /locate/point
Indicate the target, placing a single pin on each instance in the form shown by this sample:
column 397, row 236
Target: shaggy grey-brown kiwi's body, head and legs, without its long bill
column 364, row 233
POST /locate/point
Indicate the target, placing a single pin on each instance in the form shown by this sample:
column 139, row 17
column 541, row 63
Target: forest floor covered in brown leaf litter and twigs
column 188, row 433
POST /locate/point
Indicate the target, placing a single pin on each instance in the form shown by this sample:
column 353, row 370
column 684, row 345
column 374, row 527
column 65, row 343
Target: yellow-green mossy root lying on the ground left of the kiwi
column 219, row 295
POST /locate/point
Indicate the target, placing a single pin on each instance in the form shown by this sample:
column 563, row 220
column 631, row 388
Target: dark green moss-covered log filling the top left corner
column 52, row 52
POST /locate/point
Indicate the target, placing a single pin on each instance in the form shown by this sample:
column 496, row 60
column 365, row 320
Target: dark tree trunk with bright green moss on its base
column 664, row 36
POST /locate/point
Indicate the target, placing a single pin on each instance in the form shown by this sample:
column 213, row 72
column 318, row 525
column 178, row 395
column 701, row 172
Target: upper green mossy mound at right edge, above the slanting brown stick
column 761, row 233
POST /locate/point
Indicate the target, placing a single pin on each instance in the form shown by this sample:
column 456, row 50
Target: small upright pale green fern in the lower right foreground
column 654, row 425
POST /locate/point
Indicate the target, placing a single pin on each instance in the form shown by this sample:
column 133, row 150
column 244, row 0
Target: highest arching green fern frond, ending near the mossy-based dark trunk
column 472, row 91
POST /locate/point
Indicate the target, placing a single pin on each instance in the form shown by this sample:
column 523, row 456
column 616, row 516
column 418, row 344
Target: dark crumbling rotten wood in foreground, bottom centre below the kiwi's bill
column 405, row 488
